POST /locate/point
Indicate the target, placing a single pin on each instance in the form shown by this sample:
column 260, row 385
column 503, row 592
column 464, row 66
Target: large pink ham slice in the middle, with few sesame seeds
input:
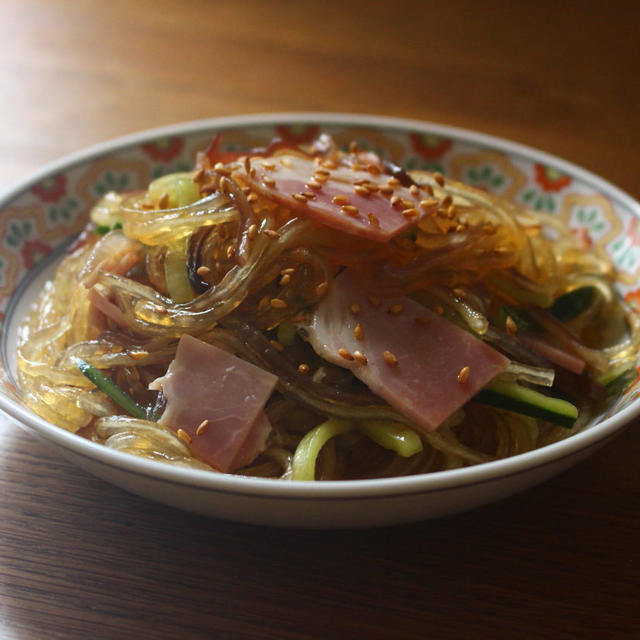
column 430, row 351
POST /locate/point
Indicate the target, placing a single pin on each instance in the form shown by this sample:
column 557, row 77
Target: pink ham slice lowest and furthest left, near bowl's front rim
column 206, row 383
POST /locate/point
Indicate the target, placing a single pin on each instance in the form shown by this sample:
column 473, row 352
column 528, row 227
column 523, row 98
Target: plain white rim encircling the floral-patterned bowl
column 397, row 487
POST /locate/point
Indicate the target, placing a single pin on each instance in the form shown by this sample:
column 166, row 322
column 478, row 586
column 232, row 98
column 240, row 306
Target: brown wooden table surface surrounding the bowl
column 82, row 559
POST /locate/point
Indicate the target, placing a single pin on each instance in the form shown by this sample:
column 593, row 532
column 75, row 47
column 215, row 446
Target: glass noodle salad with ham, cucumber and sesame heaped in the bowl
column 269, row 259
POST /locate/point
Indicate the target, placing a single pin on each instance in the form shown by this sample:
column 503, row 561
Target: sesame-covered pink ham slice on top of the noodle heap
column 339, row 197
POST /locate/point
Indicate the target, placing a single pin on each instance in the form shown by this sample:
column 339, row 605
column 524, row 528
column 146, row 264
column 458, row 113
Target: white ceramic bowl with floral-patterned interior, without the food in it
column 38, row 217
